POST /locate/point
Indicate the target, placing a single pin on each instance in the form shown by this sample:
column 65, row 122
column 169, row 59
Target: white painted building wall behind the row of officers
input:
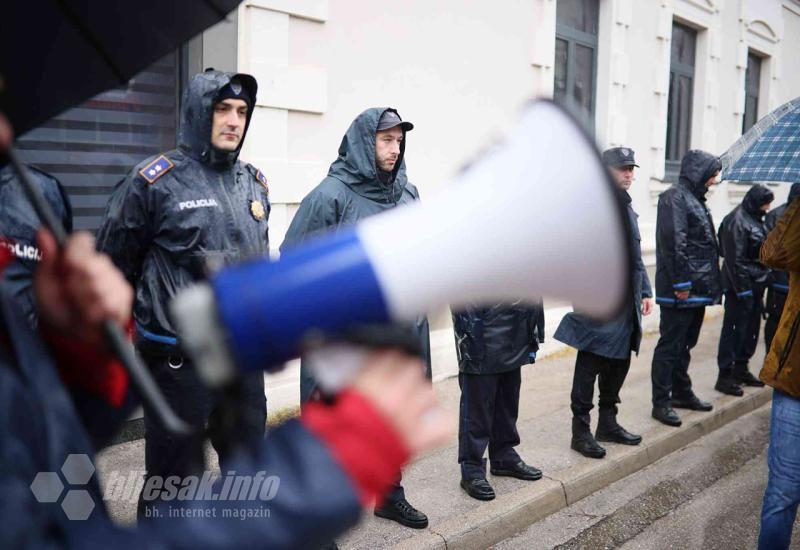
column 460, row 70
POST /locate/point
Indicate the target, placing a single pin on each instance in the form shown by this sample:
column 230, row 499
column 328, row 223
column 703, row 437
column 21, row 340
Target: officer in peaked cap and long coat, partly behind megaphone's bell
column 604, row 349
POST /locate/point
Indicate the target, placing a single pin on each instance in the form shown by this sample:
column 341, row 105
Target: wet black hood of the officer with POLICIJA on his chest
column 197, row 113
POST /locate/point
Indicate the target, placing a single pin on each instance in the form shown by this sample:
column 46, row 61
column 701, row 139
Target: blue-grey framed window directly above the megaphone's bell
column 576, row 56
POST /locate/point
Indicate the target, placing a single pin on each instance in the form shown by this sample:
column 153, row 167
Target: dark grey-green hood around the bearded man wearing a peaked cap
column 356, row 167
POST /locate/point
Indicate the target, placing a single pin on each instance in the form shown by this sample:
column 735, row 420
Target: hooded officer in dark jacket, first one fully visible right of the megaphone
column 687, row 280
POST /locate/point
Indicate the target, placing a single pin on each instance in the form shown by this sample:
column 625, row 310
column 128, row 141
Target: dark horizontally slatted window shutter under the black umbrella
column 91, row 147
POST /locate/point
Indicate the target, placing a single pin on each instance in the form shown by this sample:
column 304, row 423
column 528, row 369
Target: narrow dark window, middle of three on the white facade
column 679, row 105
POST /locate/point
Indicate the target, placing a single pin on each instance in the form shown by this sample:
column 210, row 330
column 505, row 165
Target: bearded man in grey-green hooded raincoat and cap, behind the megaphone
column 367, row 178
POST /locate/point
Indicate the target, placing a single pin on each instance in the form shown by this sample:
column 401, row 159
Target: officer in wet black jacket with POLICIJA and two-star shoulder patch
column 173, row 218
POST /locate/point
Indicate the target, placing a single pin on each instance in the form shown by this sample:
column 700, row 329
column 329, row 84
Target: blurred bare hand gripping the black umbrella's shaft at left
column 78, row 288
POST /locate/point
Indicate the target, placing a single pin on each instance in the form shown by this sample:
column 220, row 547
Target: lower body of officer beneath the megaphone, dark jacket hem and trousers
column 492, row 344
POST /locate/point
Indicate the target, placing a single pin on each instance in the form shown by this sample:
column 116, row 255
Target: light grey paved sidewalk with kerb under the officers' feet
column 432, row 481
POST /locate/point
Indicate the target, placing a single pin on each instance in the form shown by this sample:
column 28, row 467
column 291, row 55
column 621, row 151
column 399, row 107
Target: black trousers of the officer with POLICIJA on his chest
column 243, row 407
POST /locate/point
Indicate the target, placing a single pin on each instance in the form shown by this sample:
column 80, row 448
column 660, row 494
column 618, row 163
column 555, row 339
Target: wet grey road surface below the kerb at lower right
column 706, row 495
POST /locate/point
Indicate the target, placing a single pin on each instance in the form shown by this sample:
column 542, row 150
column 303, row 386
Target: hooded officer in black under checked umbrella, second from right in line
column 744, row 279
